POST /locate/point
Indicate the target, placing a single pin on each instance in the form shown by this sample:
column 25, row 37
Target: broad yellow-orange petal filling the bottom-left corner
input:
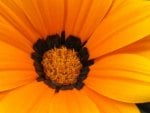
column 25, row 98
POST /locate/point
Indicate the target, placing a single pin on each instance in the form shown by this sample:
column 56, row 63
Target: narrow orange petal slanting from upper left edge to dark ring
column 11, row 36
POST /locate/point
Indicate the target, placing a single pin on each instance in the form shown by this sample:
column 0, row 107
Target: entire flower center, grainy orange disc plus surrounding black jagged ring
column 61, row 62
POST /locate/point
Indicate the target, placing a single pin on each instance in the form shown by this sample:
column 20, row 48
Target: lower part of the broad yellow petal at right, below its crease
column 124, row 90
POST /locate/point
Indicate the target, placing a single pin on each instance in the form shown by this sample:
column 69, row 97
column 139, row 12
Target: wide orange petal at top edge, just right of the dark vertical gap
column 82, row 17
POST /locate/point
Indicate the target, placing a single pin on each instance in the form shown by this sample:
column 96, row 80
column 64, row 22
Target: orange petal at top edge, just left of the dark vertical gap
column 52, row 12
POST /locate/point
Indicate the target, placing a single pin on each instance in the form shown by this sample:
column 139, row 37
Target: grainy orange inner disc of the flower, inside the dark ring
column 61, row 65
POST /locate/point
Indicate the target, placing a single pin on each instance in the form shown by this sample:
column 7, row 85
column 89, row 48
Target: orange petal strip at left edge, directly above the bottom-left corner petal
column 10, row 79
